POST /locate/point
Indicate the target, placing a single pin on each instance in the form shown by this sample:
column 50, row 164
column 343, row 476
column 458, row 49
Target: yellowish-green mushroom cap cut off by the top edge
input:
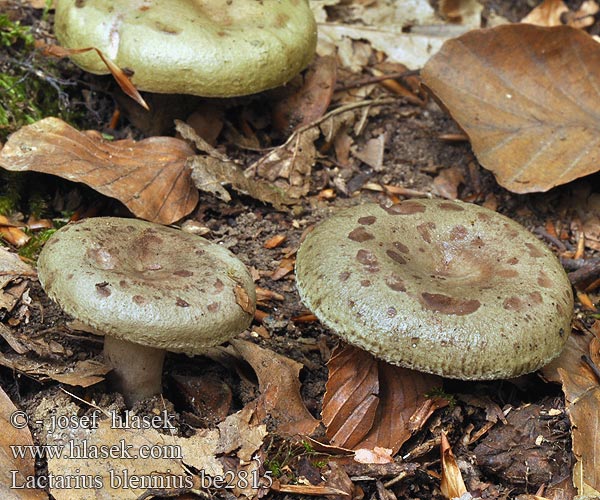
column 211, row 48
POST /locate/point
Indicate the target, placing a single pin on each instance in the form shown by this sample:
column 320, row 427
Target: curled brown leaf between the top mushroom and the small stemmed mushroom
column 149, row 176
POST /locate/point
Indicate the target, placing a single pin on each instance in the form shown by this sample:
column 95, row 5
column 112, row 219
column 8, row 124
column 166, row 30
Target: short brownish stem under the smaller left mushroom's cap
column 136, row 369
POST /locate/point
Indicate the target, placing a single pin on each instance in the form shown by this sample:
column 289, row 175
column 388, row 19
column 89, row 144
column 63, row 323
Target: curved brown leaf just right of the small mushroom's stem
column 279, row 385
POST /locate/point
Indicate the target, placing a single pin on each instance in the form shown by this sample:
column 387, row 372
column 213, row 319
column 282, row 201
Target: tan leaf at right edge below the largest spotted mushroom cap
column 582, row 394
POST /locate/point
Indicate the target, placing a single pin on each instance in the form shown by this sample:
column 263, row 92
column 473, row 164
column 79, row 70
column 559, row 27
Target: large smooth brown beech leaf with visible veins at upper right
column 528, row 97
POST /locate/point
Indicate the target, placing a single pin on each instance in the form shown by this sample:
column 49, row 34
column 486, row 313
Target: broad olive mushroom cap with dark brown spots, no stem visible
column 442, row 287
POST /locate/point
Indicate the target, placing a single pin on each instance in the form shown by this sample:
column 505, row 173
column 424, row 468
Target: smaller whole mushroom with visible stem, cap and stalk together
column 149, row 289
